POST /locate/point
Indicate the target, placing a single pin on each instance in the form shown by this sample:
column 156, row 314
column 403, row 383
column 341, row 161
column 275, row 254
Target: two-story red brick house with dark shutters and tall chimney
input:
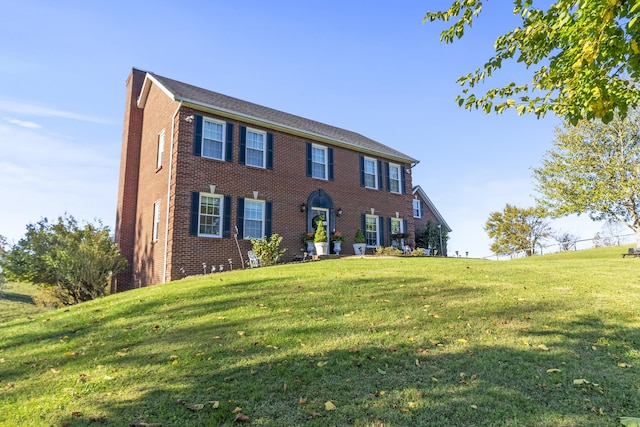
column 201, row 171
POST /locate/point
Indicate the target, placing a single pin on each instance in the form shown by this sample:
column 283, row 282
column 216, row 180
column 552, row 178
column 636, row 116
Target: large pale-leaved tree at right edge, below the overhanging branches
column 594, row 168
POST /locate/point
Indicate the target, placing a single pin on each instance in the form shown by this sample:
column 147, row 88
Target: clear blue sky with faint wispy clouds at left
column 370, row 67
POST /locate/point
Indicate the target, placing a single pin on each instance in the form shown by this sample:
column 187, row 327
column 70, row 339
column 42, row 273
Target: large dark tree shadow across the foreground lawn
column 382, row 385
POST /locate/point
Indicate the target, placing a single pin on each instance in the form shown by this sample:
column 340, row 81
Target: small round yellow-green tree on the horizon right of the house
column 517, row 229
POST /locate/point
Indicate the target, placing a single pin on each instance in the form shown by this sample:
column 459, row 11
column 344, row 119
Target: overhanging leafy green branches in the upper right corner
column 585, row 55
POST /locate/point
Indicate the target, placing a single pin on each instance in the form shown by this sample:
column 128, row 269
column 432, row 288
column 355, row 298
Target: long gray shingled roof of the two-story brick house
column 209, row 99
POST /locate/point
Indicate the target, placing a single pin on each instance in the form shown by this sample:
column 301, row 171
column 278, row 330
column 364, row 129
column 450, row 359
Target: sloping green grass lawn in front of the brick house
column 389, row 342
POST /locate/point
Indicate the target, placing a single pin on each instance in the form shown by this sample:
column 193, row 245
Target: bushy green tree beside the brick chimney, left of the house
column 78, row 261
